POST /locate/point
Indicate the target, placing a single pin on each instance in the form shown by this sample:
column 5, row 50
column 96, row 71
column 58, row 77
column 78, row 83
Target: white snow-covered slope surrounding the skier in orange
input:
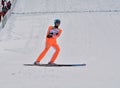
column 88, row 37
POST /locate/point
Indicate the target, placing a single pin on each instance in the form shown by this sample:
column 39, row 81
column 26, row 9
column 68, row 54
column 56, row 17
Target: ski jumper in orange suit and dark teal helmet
column 53, row 33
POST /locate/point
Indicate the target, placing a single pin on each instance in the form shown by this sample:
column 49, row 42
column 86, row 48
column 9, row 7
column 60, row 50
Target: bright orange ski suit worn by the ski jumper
column 51, row 42
